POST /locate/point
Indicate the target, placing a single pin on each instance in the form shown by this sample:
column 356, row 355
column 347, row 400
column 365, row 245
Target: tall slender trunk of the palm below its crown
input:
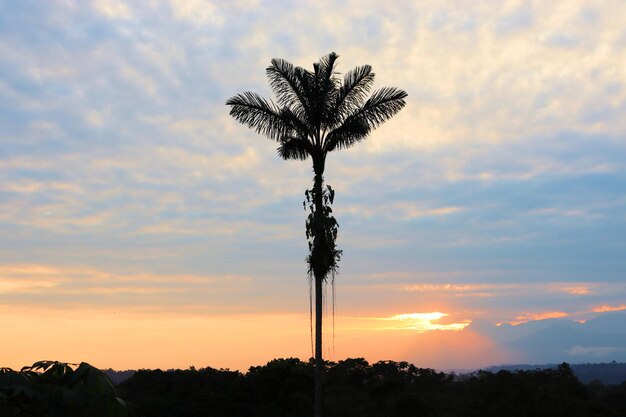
column 318, row 275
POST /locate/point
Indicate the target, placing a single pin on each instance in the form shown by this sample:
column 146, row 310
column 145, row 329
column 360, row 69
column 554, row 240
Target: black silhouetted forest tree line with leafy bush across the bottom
column 284, row 388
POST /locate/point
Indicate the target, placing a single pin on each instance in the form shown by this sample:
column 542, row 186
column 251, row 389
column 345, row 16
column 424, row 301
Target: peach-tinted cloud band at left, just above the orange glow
column 45, row 286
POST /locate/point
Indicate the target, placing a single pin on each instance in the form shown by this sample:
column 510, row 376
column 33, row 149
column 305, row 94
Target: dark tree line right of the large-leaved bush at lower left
column 353, row 387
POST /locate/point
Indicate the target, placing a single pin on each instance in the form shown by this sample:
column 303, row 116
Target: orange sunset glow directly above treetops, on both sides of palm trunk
column 132, row 340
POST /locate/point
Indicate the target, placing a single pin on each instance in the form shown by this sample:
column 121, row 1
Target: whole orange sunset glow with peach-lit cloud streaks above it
column 158, row 328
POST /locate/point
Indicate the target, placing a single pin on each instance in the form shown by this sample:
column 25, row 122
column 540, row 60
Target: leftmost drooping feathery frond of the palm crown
column 259, row 114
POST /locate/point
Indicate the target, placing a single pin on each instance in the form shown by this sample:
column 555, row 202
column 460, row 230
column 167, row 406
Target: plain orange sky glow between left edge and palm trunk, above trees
column 134, row 341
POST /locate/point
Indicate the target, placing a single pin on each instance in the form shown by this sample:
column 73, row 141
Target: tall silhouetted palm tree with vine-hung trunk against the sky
column 316, row 113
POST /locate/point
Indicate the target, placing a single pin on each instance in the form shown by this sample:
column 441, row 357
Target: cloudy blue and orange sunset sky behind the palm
column 142, row 227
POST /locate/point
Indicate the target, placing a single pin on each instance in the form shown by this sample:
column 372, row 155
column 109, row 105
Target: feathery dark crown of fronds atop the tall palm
column 317, row 112
